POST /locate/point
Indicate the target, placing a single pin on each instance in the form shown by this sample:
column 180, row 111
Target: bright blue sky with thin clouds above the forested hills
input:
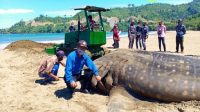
column 12, row 11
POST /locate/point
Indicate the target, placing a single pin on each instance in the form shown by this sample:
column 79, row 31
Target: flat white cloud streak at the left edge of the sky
column 15, row 11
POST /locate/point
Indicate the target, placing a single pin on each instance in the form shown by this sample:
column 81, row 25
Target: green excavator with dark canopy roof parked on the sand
column 95, row 37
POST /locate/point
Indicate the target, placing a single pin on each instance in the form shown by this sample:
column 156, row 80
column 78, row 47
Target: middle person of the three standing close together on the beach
column 138, row 35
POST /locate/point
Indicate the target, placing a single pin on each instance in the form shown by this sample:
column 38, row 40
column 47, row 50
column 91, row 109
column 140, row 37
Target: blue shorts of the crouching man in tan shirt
column 53, row 71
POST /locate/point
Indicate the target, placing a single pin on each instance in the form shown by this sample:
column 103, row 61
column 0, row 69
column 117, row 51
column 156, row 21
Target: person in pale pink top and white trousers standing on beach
column 161, row 31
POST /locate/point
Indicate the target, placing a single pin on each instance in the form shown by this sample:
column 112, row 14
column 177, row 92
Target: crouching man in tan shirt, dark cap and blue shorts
column 49, row 67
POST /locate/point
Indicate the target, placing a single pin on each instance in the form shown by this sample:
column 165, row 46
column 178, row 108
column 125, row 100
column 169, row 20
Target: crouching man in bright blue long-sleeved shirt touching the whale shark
column 74, row 65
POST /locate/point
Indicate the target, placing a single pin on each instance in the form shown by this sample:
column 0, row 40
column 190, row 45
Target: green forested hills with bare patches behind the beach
column 152, row 13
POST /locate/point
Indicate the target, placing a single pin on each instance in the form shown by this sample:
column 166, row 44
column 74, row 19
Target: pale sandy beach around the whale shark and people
column 21, row 89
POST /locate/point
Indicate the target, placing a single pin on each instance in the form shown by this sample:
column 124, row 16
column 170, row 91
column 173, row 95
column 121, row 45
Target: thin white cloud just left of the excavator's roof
column 68, row 13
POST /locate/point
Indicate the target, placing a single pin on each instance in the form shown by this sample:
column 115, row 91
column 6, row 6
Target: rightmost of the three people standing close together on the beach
column 145, row 31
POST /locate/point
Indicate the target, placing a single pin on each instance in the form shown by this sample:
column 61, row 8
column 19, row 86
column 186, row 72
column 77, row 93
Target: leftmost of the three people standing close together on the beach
column 131, row 34
